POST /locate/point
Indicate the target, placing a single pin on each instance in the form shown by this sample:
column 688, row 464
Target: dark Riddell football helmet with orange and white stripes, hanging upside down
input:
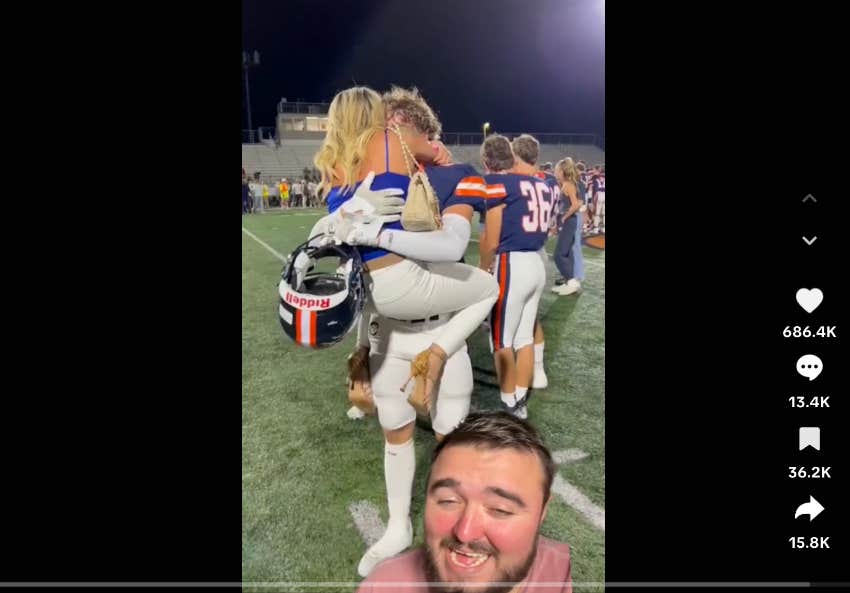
column 320, row 309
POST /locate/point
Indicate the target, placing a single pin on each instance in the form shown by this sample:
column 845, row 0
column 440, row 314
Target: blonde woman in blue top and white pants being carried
column 360, row 139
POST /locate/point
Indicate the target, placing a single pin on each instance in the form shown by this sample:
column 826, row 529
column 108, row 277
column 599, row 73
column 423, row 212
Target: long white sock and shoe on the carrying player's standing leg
column 399, row 468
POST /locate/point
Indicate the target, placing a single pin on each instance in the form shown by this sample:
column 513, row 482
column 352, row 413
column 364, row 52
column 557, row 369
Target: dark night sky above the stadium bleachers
column 522, row 65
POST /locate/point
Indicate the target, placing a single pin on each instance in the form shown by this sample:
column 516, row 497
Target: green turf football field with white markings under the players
column 304, row 461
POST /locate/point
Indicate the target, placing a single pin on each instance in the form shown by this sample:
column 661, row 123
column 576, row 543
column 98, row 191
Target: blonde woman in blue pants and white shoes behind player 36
column 566, row 250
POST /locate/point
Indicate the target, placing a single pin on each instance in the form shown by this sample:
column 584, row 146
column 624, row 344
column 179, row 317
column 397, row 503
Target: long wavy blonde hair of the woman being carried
column 354, row 116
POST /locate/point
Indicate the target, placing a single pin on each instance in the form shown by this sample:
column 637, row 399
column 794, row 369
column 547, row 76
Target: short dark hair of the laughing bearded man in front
column 500, row 430
